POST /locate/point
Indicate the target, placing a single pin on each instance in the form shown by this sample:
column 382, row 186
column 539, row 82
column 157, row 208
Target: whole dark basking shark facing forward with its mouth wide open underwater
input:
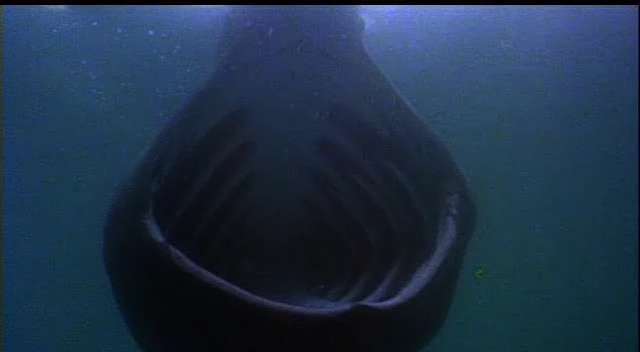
column 297, row 203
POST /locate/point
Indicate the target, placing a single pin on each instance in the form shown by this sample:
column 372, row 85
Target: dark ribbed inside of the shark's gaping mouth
column 358, row 234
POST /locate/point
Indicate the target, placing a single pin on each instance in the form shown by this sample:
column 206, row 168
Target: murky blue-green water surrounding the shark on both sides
column 539, row 106
